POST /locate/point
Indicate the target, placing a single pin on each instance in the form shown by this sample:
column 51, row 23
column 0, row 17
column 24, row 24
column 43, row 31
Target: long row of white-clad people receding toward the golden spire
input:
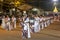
column 33, row 24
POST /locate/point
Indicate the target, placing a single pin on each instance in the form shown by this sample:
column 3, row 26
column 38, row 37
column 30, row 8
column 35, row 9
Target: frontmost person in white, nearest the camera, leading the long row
column 26, row 28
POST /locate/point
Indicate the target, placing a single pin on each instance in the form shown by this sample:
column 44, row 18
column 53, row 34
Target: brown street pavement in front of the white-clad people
column 51, row 32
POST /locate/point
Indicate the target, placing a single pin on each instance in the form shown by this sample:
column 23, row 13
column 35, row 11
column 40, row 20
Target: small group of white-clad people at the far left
column 8, row 23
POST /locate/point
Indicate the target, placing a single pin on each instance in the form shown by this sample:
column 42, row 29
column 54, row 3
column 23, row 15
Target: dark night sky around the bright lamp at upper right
column 44, row 4
